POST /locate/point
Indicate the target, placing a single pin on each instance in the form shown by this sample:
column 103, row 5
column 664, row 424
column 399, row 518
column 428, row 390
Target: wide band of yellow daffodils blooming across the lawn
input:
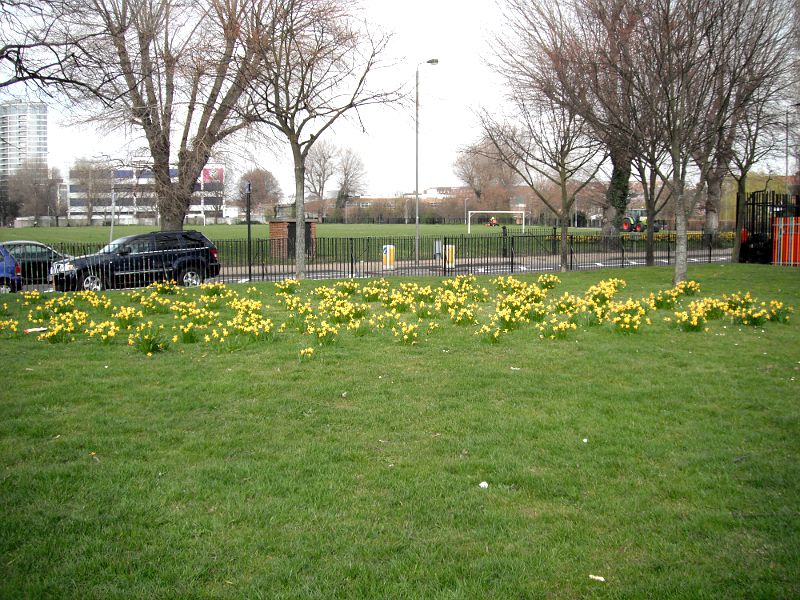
column 226, row 318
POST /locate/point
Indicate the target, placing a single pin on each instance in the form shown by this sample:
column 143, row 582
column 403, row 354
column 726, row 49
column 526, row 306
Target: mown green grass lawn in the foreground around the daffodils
column 664, row 461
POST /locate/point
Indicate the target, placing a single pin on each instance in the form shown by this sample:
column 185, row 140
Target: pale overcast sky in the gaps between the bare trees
column 457, row 32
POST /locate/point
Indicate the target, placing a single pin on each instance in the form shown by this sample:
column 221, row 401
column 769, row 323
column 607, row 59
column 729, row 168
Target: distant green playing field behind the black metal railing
column 51, row 235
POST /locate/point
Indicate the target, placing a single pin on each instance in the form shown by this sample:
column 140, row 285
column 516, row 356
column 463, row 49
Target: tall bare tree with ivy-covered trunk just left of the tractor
column 571, row 51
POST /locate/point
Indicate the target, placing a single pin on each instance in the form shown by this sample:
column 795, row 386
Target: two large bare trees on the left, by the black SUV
column 189, row 75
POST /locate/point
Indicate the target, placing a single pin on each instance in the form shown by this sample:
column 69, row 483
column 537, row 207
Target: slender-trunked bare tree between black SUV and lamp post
column 314, row 70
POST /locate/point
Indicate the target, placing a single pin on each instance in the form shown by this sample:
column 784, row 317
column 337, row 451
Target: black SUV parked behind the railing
column 187, row 257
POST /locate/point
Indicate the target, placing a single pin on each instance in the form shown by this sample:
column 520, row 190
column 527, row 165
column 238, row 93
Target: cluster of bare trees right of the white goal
column 676, row 94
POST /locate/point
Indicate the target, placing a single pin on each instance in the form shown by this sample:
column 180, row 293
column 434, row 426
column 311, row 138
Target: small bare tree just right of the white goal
column 548, row 146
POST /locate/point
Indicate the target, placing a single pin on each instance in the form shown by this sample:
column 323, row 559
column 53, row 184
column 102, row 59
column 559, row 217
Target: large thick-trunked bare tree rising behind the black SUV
column 175, row 70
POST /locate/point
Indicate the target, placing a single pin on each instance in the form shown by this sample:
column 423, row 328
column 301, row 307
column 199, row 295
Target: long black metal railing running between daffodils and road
column 330, row 258
